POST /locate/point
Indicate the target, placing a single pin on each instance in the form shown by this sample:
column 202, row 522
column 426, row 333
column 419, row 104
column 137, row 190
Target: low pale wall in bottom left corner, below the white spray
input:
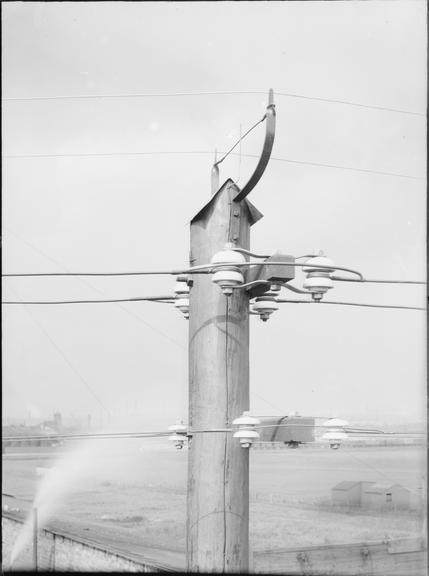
column 57, row 552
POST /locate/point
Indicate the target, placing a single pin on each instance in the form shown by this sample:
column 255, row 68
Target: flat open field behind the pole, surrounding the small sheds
column 130, row 496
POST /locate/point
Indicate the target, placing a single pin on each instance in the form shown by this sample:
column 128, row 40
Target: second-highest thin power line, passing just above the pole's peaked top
column 190, row 152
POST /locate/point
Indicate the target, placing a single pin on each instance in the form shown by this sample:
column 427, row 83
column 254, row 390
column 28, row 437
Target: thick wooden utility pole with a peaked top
column 218, row 468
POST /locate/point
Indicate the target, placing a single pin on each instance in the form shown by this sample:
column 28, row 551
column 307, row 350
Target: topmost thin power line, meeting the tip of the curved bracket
column 213, row 93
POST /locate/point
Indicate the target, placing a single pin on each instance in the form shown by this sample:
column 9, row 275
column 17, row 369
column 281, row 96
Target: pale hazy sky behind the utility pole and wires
column 118, row 212
